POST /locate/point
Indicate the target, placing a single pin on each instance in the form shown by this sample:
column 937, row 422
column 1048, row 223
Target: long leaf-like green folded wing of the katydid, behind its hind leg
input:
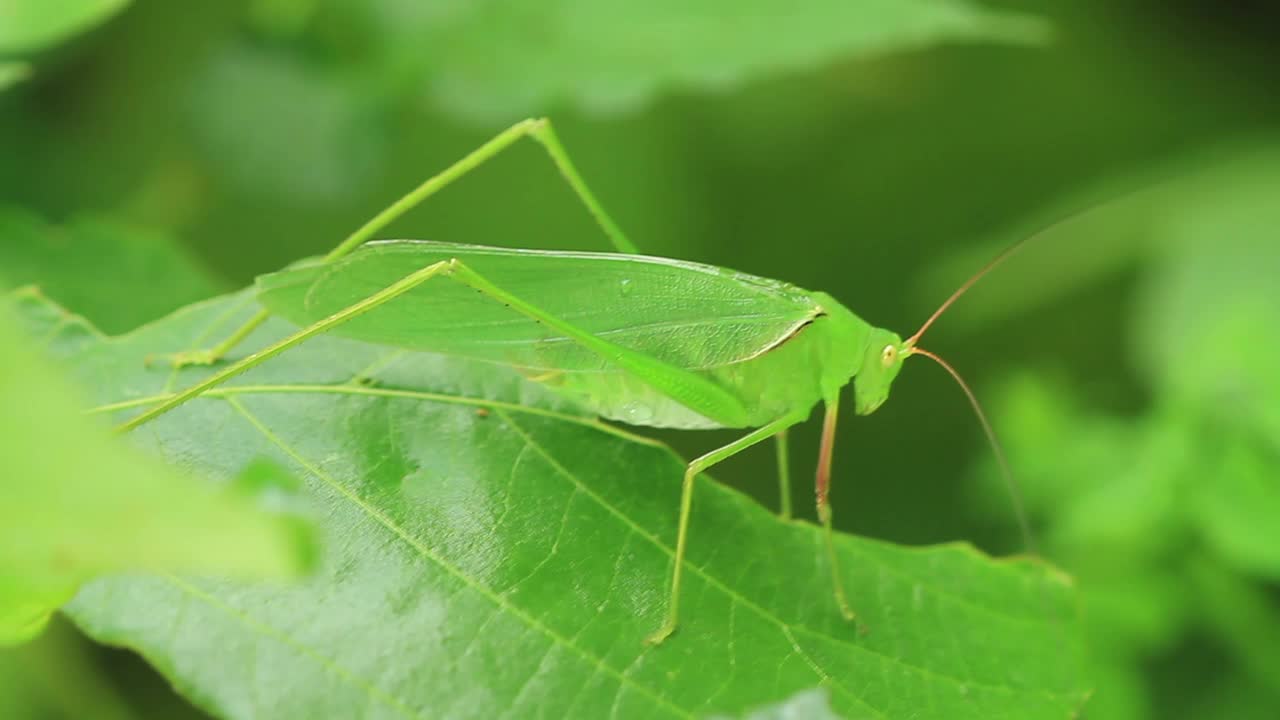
column 687, row 315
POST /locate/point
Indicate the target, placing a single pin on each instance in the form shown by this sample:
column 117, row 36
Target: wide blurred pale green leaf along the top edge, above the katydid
column 501, row 61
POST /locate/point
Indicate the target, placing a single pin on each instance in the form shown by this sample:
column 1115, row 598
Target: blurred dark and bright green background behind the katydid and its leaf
column 1128, row 357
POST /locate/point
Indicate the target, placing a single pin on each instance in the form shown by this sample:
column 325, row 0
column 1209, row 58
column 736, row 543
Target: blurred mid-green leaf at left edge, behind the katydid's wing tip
column 117, row 276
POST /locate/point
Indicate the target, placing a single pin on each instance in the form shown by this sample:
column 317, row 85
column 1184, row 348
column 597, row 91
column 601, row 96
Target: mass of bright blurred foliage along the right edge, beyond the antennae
column 1168, row 513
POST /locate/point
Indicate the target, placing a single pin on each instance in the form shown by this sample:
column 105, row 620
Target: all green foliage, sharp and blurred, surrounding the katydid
column 157, row 154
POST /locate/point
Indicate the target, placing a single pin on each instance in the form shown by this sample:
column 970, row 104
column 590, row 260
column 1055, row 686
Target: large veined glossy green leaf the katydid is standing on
column 491, row 552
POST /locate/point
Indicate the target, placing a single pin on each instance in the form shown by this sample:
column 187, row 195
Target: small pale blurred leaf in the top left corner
column 28, row 26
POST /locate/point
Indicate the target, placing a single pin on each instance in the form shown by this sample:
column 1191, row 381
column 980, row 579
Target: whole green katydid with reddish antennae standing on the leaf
column 646, row 341
